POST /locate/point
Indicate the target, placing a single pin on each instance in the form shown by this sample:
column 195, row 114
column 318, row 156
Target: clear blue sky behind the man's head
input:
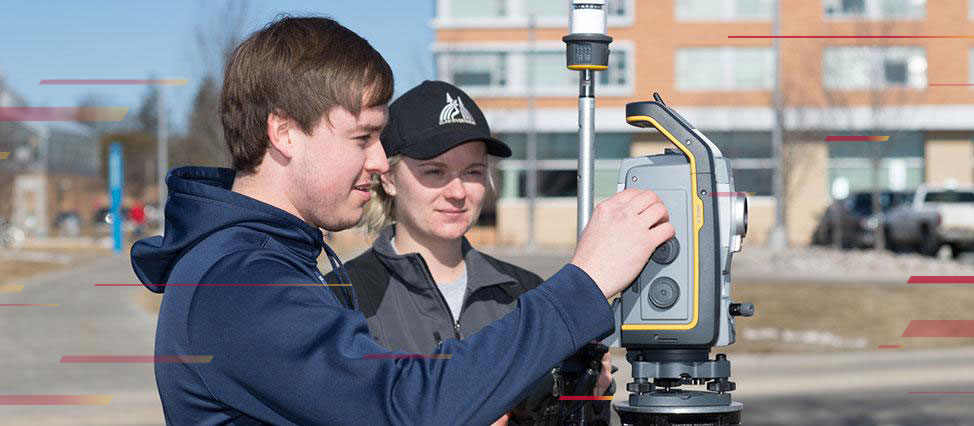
column 137, row 40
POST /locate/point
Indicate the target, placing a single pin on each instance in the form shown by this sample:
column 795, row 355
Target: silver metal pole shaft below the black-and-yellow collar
column 586, row 148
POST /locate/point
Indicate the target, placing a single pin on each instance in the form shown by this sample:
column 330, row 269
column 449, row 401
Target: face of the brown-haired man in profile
column 333, row 166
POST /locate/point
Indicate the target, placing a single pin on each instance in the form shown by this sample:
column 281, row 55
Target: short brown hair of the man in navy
column 299, row 68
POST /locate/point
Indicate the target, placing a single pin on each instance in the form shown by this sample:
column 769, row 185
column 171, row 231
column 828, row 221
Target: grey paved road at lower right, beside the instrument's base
column 856, row 388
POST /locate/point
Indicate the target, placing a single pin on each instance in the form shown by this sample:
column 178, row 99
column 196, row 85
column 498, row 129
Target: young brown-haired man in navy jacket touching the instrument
column 302, row 106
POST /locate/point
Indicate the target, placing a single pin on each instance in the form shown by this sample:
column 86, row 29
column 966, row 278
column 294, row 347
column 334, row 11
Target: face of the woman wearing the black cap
column 440, row 197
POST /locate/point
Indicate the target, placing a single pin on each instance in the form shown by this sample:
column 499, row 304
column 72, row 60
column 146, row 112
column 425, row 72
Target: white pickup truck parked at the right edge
column 937, row 216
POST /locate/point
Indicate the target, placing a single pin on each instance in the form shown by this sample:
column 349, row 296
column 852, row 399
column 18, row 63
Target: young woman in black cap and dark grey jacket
column 422, row 282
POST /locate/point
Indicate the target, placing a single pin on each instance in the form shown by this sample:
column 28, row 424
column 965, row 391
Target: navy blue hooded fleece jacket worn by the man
column 295, row 354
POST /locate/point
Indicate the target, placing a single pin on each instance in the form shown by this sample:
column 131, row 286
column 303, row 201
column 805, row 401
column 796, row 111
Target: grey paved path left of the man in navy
column 88, row 320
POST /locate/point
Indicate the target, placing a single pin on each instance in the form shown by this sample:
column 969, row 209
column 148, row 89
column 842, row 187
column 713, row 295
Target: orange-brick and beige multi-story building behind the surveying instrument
column 508, row 54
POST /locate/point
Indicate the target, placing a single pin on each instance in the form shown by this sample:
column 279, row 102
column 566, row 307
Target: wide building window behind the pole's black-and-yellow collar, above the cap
column 486, row 74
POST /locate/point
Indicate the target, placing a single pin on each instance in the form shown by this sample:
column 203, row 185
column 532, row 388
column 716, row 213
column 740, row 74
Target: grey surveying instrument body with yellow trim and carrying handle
column 682, row 297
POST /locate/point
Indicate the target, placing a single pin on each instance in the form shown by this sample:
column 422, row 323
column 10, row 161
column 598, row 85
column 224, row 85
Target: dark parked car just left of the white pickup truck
column 856, row 218
